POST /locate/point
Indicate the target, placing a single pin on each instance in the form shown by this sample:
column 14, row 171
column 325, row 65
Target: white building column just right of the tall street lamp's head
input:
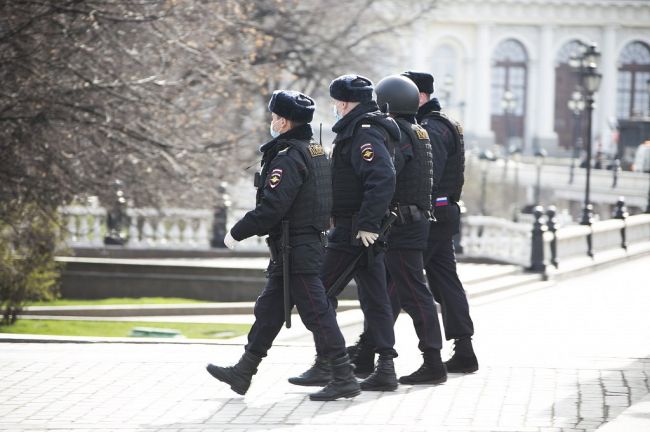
column 606, row 97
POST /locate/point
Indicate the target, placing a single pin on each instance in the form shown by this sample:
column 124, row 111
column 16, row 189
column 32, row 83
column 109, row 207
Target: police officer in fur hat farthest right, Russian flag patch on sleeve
column 440, row 259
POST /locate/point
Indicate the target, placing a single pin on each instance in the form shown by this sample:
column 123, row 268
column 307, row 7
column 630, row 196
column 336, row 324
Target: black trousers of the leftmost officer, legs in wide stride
column 316, row 312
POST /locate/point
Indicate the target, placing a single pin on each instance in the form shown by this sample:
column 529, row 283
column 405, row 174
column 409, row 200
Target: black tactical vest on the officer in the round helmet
column 415, row 181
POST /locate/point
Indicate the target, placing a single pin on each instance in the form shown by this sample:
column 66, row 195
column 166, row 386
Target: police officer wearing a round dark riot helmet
column 408, row 236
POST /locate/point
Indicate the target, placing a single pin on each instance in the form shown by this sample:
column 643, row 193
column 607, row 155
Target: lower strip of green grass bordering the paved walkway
column 120, row 328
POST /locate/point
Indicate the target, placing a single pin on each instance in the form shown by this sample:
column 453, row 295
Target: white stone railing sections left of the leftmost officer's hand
column 170, row 228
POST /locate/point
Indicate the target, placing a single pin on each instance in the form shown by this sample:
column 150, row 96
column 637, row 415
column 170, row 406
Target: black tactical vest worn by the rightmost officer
column 453, row 176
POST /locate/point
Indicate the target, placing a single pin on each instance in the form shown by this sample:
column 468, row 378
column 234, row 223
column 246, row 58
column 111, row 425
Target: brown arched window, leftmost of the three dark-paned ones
column 509, row 80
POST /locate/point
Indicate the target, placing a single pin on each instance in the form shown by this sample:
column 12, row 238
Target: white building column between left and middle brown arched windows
column 544, row 134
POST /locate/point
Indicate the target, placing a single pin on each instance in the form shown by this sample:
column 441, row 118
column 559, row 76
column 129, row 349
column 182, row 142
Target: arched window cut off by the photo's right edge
column 633, row 74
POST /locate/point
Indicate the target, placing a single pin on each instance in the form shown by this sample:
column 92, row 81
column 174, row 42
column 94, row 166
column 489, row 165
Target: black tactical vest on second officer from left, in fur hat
column 347, row 188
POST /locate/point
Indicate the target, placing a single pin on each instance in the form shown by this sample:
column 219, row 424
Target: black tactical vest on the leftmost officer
column 311, row 207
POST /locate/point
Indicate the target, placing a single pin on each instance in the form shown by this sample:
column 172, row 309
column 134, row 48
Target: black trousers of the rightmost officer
column 445, row 285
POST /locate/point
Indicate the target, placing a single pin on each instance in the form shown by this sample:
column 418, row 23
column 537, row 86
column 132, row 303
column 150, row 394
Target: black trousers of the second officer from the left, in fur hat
column 373, row 295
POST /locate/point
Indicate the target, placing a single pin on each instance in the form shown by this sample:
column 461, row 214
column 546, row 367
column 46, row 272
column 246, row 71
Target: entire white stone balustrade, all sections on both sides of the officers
column 484, row 237
